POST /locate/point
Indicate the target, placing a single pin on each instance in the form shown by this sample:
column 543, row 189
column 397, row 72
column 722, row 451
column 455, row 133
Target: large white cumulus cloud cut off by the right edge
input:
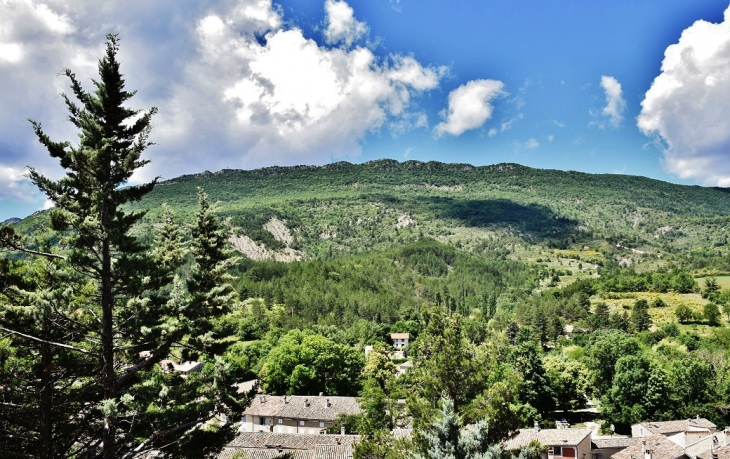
column 687, row 108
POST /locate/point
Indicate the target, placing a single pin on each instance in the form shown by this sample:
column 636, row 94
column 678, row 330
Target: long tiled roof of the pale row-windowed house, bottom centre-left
column 322, row 408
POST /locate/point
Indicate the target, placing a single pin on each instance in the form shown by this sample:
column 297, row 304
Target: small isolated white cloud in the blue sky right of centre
column 469, row 107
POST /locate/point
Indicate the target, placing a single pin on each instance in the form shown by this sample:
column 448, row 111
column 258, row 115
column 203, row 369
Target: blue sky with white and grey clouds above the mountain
column 599, row 86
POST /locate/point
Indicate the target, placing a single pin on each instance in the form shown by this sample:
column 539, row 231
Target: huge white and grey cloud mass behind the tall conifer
column 236, row 84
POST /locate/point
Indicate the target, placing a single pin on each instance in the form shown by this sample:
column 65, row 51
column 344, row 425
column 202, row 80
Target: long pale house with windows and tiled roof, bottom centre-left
column 297, row 414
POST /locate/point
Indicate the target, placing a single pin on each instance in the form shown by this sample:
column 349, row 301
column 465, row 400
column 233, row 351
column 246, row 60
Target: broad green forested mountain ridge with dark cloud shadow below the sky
column 355, row 208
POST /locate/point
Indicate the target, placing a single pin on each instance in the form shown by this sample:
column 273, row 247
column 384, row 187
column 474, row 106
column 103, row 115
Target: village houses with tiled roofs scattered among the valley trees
column 296, row 427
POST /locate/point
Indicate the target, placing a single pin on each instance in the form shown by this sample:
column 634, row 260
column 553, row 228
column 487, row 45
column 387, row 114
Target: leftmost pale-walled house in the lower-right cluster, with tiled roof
column 560, row 443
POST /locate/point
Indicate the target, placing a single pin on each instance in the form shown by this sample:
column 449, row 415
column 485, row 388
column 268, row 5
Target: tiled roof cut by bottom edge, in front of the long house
column 266, row 445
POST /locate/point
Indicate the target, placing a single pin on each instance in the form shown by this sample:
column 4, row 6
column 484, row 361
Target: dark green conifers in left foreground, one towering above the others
column 108, row 307
